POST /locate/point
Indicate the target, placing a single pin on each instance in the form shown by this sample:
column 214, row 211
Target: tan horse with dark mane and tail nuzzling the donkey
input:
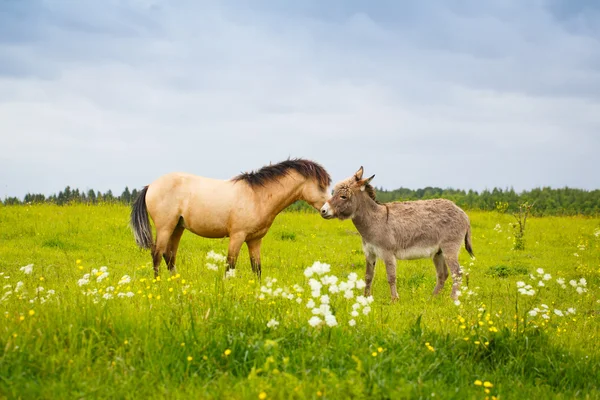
column 242, row 208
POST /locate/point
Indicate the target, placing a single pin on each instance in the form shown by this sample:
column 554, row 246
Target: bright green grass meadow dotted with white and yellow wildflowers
column 198, row 335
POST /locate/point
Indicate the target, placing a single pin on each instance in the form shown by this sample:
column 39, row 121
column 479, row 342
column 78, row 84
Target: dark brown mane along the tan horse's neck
column 272, row 173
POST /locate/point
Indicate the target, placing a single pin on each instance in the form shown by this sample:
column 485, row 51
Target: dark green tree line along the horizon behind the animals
column 546, row 200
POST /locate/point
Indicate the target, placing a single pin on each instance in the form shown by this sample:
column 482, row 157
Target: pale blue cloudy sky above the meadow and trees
column 454, row 94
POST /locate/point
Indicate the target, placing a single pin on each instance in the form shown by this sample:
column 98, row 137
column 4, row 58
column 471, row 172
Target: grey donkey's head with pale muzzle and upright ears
column 344, row 201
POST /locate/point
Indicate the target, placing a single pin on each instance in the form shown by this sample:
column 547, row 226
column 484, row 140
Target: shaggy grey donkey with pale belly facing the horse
column 405, row 230
